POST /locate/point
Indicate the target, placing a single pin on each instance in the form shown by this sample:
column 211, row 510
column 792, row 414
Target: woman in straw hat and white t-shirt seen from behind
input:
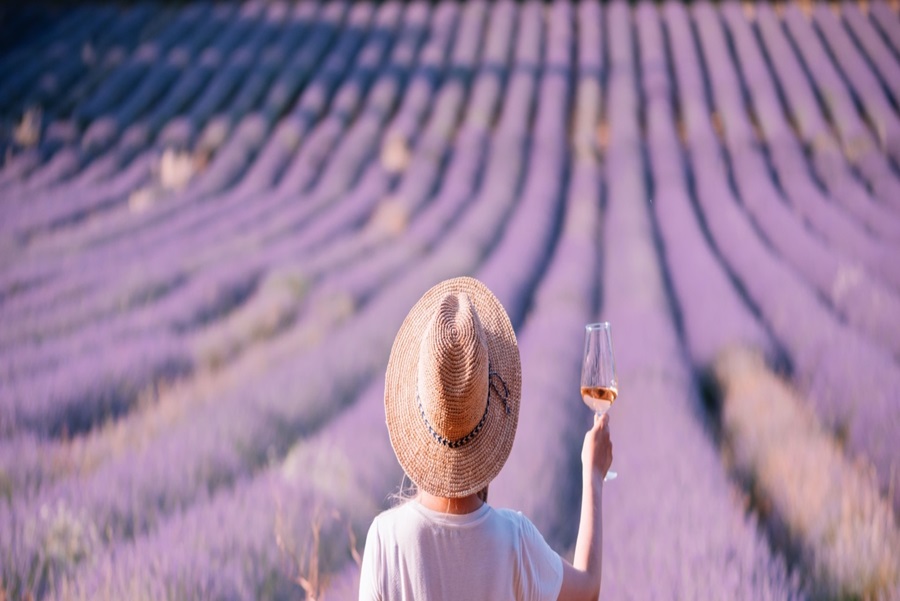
column 452, row 393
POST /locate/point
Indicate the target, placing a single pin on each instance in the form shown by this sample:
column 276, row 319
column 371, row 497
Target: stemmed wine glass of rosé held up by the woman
column 599, row 387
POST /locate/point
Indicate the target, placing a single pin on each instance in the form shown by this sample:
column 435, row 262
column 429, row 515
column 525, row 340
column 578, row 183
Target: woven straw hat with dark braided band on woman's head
column 452, row 389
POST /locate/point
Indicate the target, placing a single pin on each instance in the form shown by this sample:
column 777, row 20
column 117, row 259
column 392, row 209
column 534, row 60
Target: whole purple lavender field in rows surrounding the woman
column 215, row 216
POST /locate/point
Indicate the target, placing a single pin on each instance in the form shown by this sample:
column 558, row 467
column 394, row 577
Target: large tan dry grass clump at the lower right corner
column 822, row 507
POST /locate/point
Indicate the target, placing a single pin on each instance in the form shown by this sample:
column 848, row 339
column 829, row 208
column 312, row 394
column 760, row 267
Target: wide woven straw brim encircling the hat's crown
column 435, row 468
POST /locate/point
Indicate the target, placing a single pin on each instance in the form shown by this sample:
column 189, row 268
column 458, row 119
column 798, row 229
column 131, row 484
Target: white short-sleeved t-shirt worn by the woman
column 414, row 553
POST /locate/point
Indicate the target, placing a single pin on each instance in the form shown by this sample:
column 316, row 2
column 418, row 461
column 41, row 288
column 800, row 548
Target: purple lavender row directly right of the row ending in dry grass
column 821, row 348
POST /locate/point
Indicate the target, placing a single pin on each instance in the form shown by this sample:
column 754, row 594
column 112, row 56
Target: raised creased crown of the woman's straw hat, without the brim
column 453, row 368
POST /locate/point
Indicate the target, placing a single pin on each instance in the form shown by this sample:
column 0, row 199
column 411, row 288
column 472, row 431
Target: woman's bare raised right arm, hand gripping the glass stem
column 581, row 579
